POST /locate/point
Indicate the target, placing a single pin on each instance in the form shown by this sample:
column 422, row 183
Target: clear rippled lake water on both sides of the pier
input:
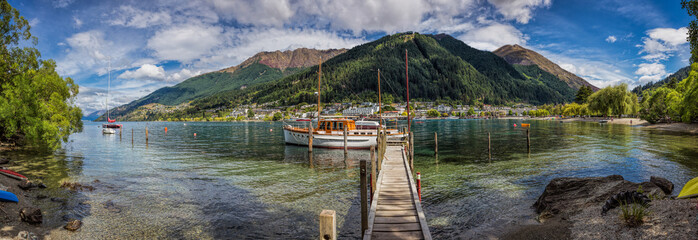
column 239, row 180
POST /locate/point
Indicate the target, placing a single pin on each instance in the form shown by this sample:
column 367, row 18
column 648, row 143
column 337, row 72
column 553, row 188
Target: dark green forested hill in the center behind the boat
column 438, row 70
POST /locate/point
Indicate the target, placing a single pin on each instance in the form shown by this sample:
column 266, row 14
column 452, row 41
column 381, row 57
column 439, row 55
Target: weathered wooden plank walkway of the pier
column 396, row 212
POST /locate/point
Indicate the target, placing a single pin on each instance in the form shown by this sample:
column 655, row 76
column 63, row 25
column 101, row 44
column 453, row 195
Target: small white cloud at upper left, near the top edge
column 129, row 16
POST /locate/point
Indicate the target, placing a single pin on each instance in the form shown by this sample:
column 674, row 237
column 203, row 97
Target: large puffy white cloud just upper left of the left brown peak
column 185, row 43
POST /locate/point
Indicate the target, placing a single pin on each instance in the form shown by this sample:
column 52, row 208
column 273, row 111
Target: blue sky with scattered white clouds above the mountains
column 157, row 43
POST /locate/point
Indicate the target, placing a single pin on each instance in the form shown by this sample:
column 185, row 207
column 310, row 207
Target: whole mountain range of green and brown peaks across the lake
column 440, row 68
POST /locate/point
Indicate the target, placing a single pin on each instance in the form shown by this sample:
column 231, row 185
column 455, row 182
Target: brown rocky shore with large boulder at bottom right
column 571, row 208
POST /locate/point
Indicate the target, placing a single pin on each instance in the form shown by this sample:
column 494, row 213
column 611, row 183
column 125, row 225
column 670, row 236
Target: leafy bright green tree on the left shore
column 37, row 106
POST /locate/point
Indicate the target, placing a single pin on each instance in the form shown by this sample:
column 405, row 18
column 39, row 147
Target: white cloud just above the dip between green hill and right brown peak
column 493, row 36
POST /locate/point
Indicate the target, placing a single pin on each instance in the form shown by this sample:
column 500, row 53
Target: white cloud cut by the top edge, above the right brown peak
column 521, row 10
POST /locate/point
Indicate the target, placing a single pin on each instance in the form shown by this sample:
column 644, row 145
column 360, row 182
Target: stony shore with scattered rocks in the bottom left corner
column 25, row 219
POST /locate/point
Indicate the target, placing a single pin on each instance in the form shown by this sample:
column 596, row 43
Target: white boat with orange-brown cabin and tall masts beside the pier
column 329, row 131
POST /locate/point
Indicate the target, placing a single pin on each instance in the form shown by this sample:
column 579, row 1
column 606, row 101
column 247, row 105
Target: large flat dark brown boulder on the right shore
column 569, row 195
